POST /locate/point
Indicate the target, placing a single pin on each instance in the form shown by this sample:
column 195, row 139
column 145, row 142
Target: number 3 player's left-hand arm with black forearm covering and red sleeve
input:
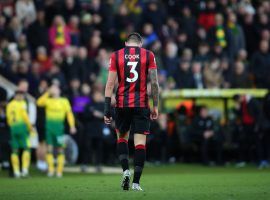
column 109, row 89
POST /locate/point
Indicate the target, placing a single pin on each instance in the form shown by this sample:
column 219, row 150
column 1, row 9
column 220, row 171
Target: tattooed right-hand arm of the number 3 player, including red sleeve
column 154, row 86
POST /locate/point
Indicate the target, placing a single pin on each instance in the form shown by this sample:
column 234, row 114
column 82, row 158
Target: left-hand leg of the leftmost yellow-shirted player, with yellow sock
column 15, row 161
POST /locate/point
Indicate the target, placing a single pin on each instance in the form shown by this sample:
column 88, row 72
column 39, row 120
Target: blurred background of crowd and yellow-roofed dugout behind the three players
column 214, row 72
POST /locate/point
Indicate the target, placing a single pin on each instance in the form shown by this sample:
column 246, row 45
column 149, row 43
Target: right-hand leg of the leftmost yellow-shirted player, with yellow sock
column 26, row 155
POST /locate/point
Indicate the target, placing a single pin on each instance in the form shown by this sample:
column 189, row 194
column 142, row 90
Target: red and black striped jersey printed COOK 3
column 132, row 65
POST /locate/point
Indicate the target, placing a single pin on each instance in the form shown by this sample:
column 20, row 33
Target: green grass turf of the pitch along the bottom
column 188, row 182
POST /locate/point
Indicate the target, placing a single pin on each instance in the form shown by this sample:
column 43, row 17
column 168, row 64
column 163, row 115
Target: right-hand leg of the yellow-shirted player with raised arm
column 60, row 155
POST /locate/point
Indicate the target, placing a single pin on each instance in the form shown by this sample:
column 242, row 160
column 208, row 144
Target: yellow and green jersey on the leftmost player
column 17, row 117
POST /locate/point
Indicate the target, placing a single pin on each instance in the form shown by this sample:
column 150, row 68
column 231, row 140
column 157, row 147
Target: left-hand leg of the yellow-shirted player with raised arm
column 49, row 155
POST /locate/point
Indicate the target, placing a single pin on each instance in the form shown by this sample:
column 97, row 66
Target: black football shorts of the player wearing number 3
column 136, row 120
